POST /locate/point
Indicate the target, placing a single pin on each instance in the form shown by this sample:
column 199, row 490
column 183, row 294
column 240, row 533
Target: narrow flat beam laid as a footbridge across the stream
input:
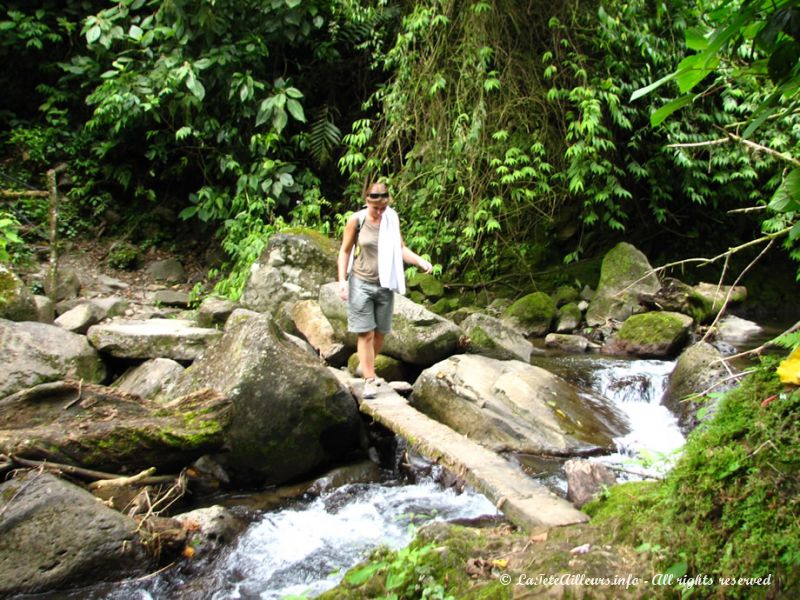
column 526, row 503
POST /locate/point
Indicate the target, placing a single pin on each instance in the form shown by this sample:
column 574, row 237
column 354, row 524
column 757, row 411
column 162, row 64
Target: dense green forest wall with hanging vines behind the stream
column 516, row 135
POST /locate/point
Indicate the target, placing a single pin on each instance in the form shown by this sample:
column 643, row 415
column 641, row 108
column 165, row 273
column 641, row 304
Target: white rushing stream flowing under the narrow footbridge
column 306, row 546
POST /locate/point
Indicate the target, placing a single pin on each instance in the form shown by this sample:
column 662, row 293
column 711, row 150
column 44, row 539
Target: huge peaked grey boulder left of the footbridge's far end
column 290, row 414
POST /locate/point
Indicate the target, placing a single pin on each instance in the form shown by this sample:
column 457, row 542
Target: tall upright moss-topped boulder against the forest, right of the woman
column 625, row 276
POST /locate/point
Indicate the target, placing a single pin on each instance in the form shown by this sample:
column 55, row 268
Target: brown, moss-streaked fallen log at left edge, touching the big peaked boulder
column 102, row 428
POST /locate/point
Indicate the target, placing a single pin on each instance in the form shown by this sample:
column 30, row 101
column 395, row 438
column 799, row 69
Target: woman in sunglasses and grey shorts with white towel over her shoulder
column 375, row 274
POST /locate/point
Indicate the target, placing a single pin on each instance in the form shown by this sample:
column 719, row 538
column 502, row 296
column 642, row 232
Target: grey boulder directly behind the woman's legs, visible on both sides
column 419, row 337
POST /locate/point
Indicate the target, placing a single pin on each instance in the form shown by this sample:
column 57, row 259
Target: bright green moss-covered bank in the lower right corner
column 730, row 508
